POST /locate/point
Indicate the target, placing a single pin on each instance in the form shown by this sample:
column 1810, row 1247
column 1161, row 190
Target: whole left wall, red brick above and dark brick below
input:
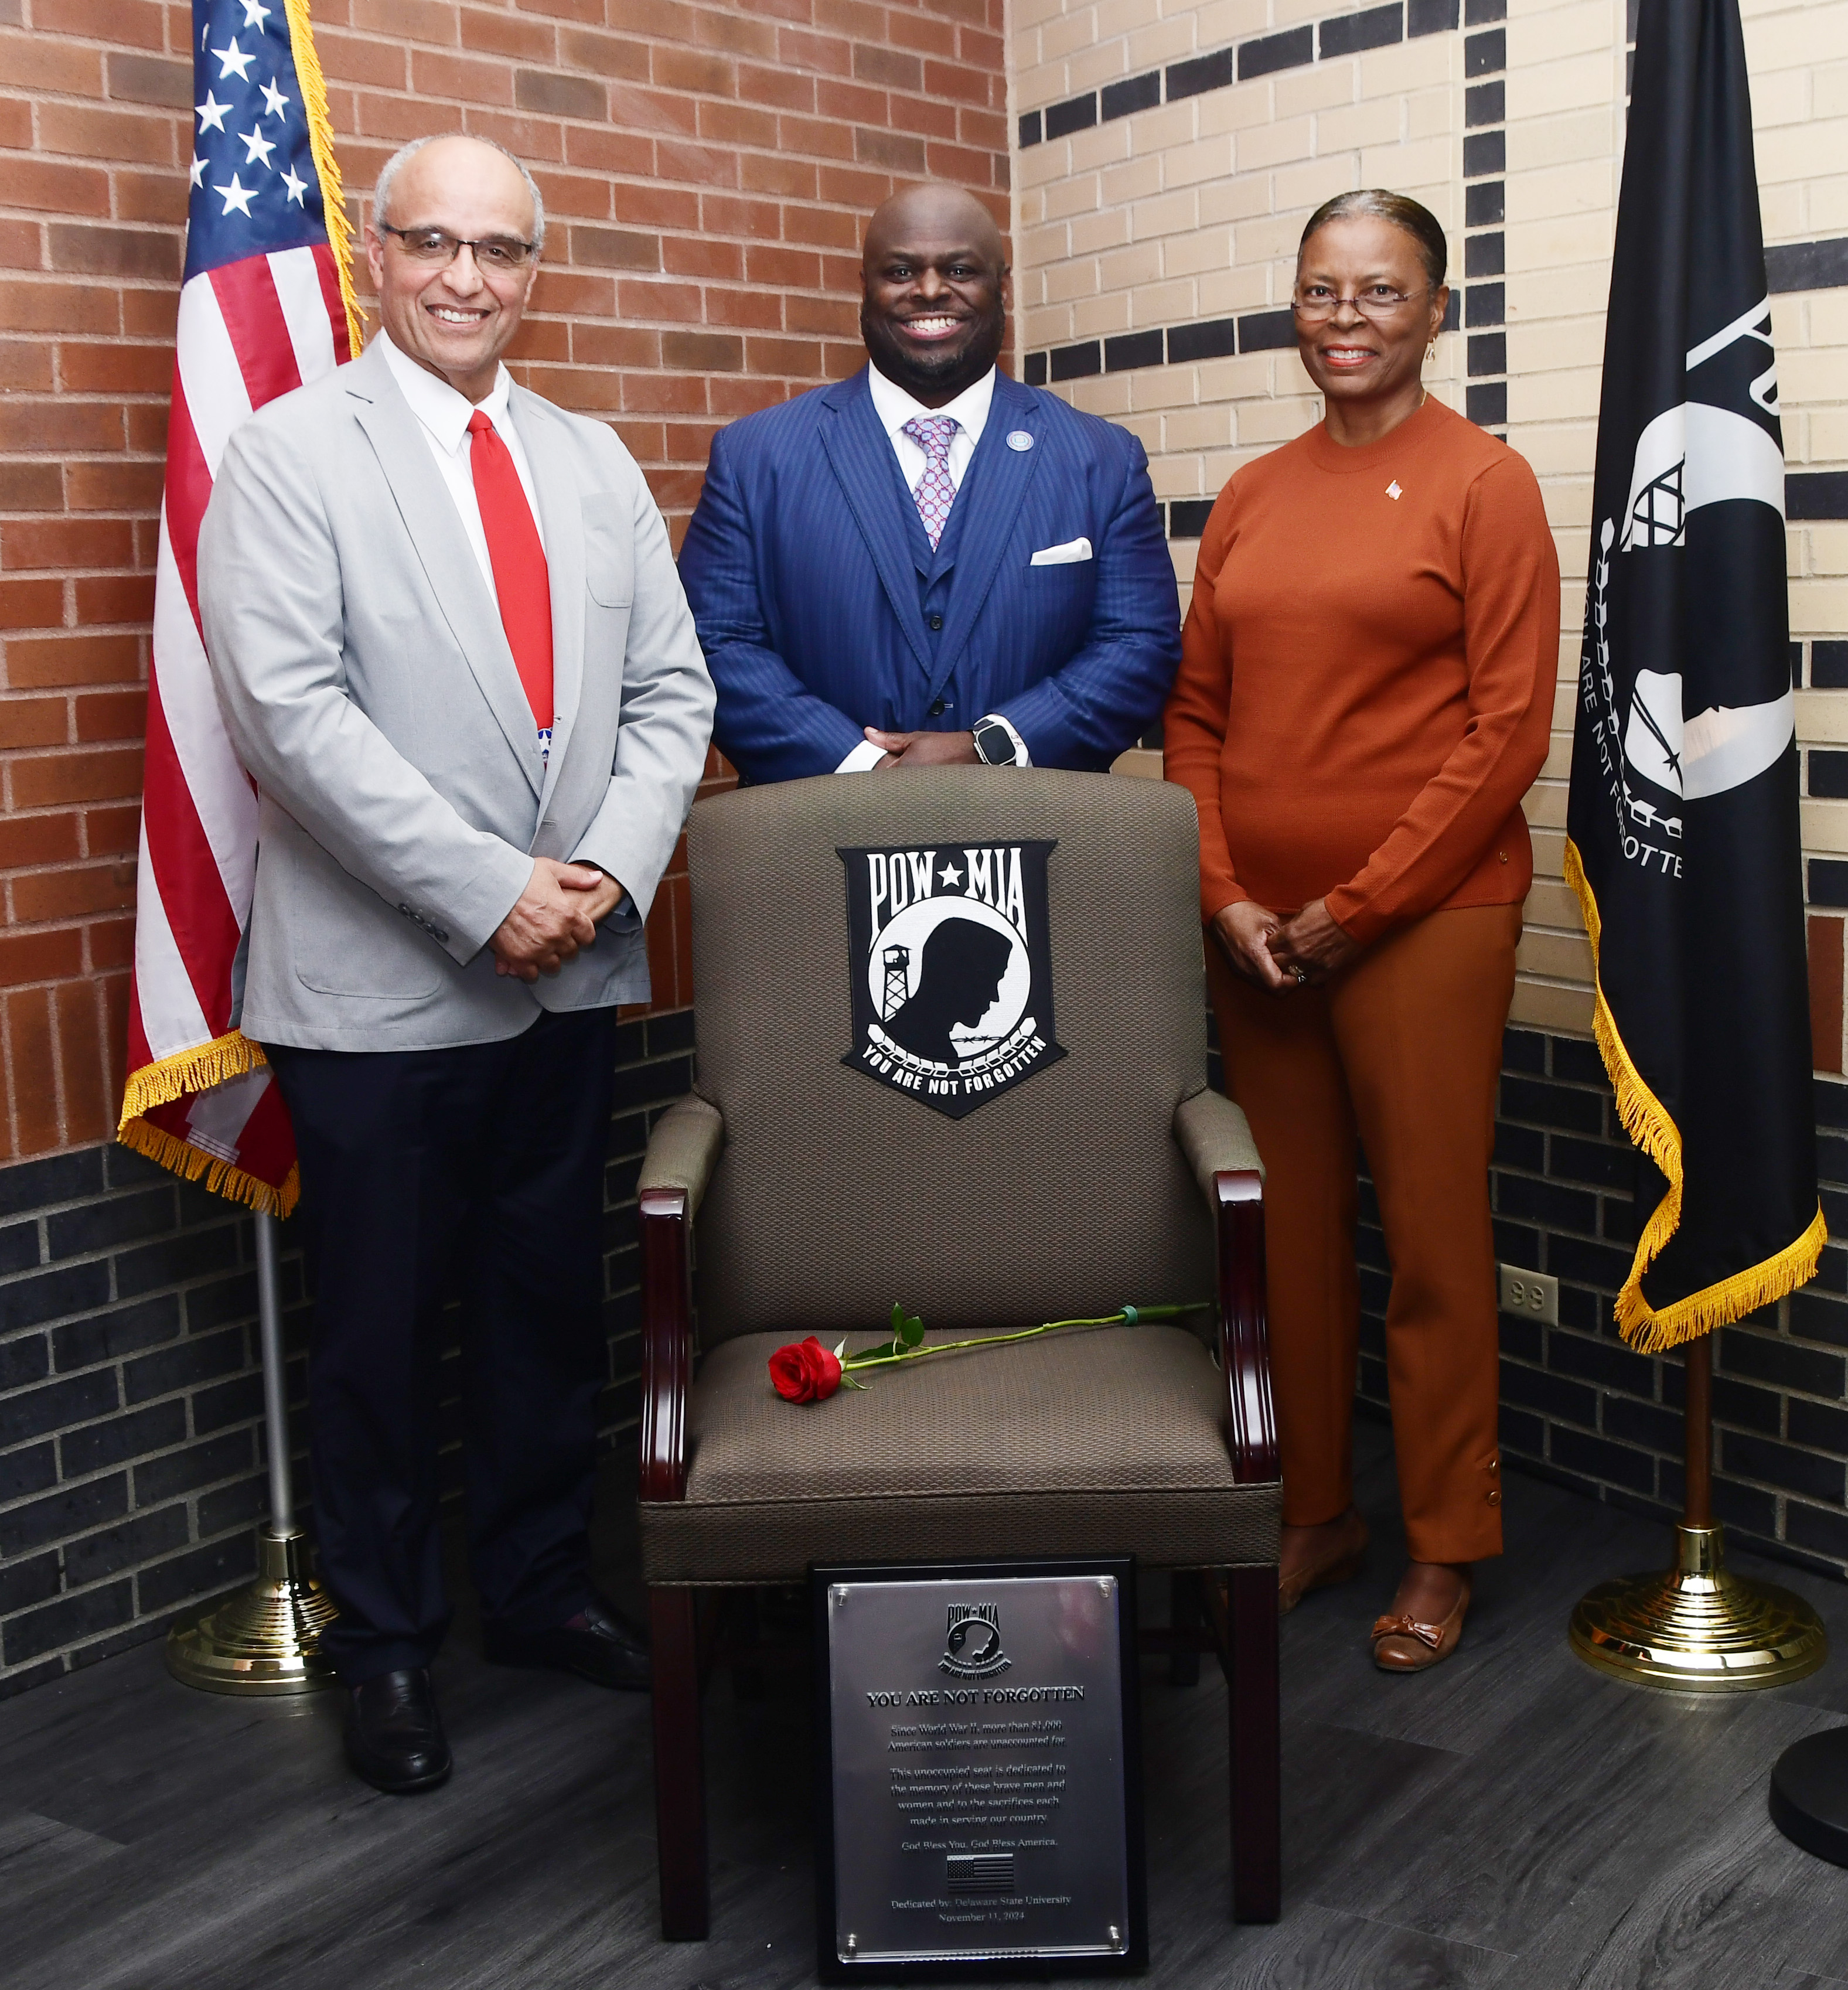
column 707, row 170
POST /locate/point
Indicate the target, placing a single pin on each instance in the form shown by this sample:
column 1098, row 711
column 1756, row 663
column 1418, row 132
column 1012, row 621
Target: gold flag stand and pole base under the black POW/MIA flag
column 1698, row 1629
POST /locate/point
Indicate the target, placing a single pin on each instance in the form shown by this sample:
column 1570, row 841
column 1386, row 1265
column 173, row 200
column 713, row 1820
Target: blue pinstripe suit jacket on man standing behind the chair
column 805, row 566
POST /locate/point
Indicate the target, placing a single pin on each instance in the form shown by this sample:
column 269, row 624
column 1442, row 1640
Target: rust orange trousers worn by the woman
column 1403, row 1052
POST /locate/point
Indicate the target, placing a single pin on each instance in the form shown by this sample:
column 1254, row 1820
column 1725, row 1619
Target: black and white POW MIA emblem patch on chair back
column 950, row 970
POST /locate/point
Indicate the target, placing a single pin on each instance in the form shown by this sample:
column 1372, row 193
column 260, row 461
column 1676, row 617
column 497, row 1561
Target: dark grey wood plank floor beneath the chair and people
column 1509, row 1820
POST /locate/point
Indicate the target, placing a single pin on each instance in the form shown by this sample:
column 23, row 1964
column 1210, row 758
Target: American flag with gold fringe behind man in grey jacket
column 266, row 307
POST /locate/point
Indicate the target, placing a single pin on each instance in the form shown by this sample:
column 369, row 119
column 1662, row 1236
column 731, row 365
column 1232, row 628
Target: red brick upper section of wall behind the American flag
column 707, row 168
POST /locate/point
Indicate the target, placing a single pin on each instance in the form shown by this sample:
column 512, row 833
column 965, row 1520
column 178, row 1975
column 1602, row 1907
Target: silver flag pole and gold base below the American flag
column 266, row 1639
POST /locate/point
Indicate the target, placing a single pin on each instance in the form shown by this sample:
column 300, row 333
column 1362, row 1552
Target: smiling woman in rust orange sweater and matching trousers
column 1366, row 697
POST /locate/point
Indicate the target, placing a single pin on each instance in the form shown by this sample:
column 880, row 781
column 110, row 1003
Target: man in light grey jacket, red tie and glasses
column 455, row 654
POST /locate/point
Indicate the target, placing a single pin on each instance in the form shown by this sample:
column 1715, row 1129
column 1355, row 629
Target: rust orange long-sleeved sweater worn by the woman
column 1368, row 676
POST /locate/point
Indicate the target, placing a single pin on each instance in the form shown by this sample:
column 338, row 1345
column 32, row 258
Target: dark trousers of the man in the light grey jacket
column 425, row 1173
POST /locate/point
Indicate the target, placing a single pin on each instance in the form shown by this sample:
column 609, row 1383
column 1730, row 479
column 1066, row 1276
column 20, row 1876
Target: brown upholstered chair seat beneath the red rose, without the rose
column 1089, row 1442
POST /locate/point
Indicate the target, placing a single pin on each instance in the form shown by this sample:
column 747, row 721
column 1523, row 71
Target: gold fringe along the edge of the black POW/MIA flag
column 1648, row 1123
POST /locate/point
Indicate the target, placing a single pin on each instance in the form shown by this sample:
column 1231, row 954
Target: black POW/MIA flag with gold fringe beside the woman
column 1684, row 821
